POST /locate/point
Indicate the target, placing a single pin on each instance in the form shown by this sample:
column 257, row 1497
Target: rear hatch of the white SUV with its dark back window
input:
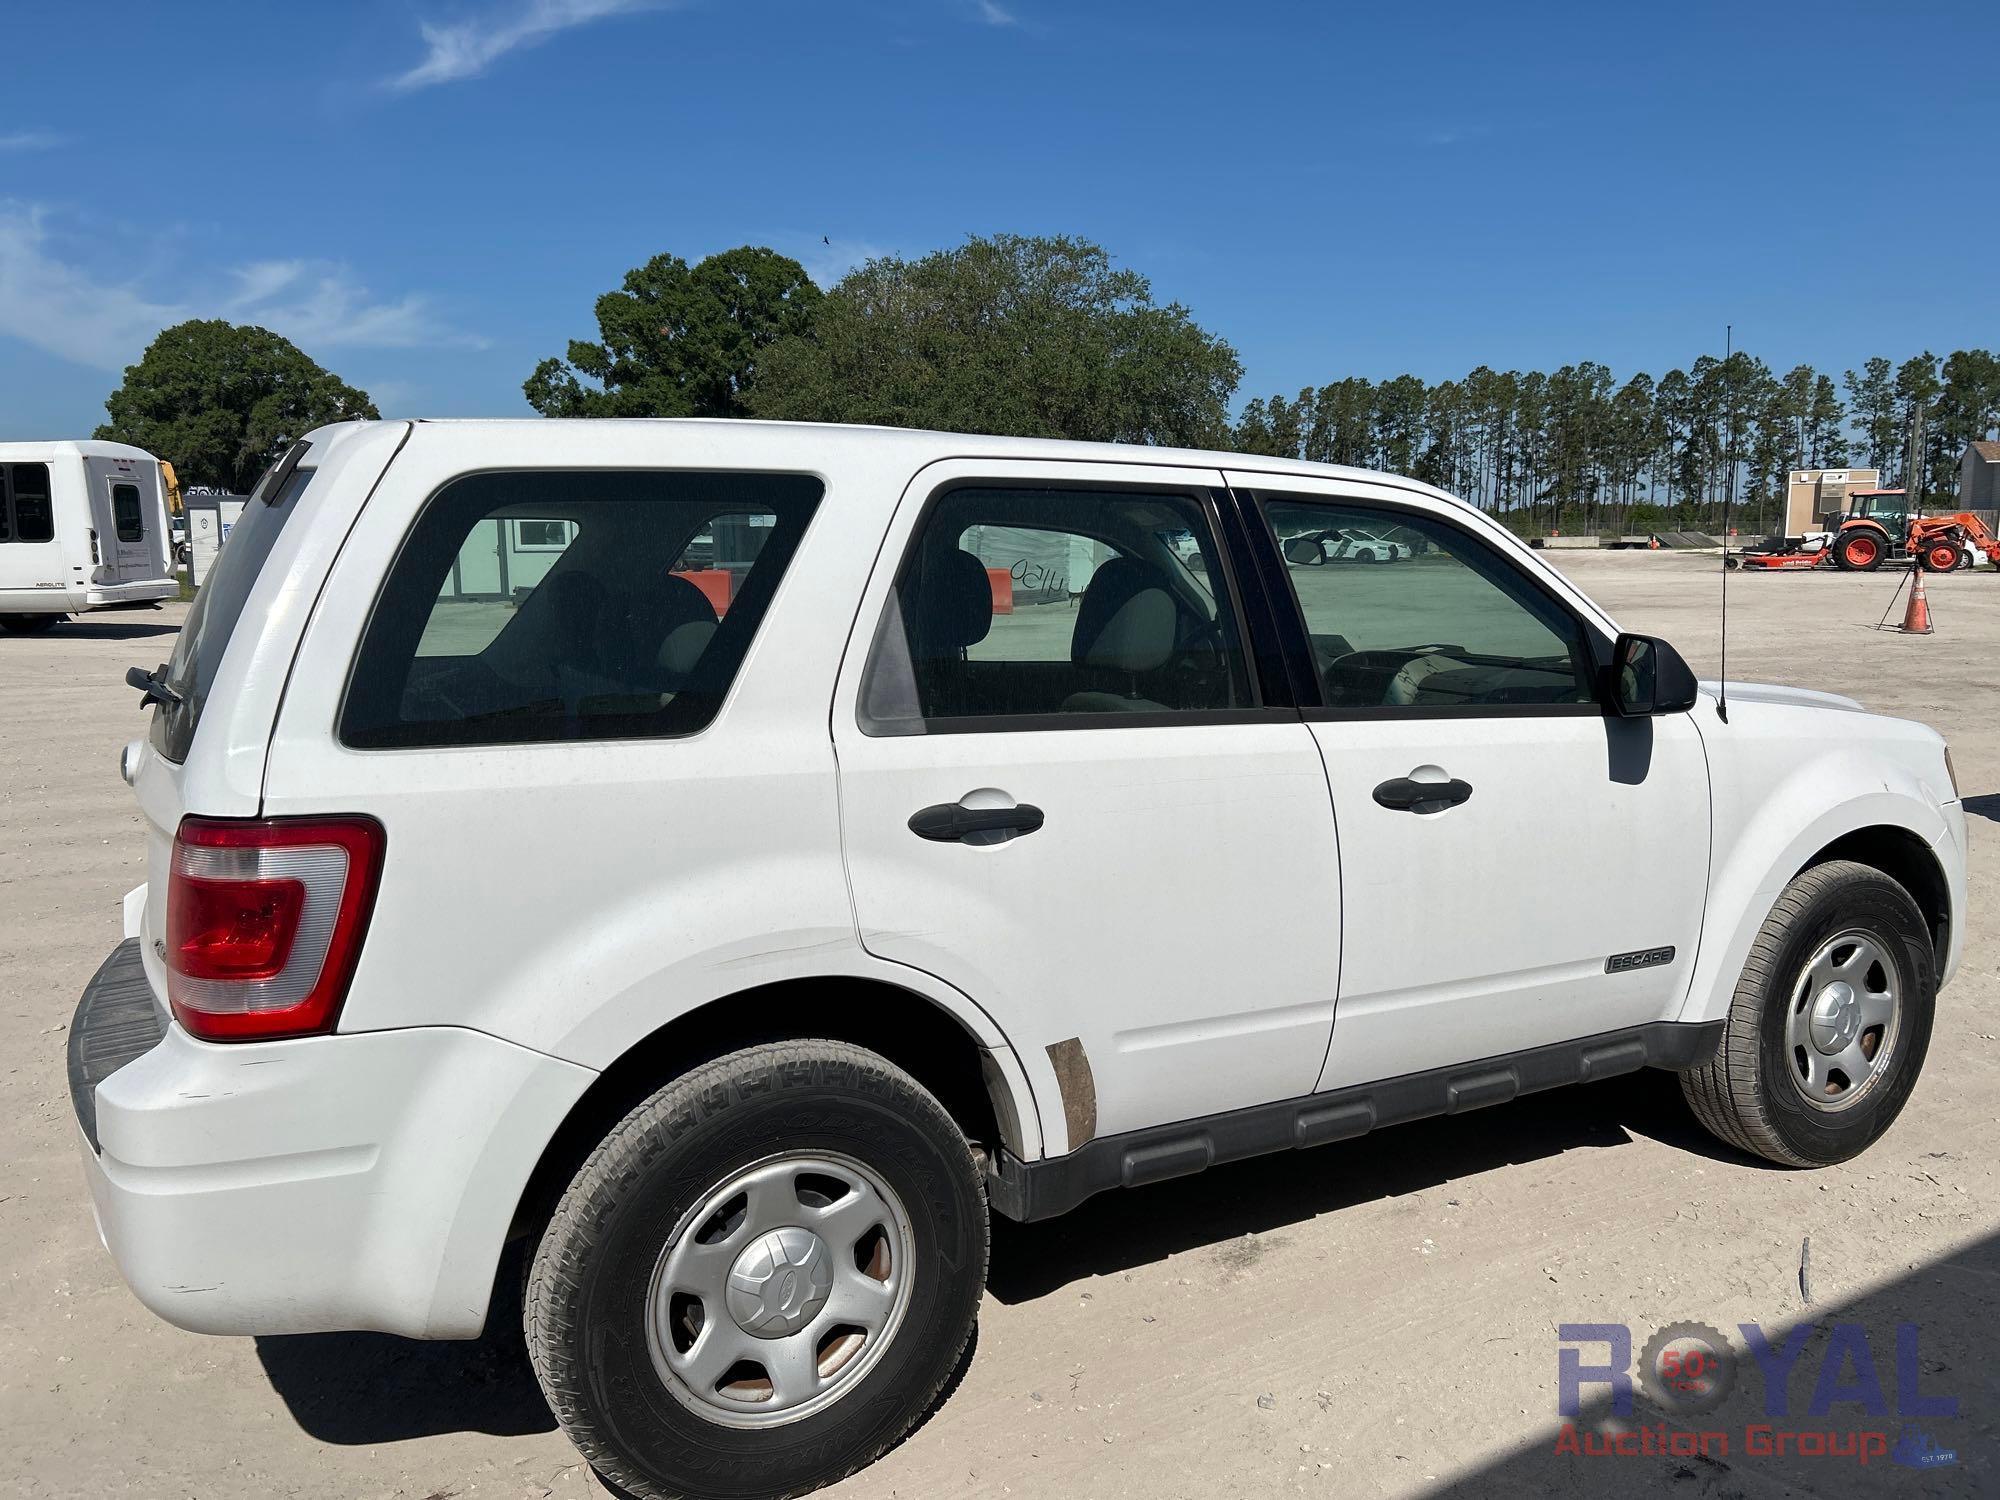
column 205, row 751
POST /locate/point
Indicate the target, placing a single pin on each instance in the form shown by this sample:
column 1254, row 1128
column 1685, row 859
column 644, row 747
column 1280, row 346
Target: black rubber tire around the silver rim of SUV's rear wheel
column 589, row 1283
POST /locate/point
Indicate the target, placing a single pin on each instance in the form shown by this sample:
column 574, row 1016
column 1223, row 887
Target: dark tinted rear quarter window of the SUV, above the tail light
column 573, row 607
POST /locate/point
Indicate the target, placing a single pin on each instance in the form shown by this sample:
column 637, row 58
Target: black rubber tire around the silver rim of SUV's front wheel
column 1745, row 1093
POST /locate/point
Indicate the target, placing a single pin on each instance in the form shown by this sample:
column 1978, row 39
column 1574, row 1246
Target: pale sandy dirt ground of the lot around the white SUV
column 1373, row 1319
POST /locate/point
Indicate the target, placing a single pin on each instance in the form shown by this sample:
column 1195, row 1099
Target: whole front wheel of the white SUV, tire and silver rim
column 1829, row 1025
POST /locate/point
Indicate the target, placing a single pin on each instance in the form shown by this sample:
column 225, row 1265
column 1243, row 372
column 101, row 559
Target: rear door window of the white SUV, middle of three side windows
column 1053, row 605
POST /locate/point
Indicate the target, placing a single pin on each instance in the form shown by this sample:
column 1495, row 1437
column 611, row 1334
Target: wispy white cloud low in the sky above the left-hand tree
column 105, row 323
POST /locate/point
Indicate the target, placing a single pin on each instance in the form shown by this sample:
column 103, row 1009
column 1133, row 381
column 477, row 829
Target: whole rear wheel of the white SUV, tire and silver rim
column 763, row 1277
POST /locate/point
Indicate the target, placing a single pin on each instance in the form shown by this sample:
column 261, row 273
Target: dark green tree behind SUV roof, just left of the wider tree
column 681, row 341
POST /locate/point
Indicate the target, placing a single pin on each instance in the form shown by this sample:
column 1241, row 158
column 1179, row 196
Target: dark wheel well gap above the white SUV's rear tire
column 907, row 1029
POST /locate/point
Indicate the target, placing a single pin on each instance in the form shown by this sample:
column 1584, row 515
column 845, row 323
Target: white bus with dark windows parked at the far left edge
column 83, row 527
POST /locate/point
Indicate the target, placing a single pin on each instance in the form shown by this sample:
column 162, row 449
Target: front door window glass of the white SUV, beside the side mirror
column 1413, row 613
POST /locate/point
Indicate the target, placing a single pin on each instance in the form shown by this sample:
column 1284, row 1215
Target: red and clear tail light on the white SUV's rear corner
column 265, row 921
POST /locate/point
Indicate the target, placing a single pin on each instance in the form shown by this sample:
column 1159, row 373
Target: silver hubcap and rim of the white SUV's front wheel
column 1843, row 1023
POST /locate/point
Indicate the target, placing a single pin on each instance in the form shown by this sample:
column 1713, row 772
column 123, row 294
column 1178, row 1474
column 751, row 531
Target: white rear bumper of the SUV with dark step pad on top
column 319, row 1185
